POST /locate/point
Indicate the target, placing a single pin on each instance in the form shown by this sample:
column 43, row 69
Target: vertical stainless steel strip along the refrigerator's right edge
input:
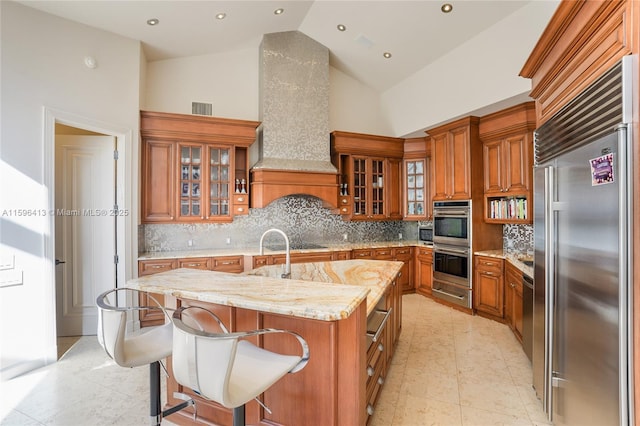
column 625, row 186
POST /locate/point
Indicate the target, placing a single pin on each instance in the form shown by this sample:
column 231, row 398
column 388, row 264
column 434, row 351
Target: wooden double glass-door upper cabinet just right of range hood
column 370, row 175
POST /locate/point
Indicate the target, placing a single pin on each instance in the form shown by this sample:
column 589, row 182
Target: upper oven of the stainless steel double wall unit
column 452, row 222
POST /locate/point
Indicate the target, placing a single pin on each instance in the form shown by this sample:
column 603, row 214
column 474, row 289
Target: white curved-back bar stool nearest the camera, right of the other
column 225, row 369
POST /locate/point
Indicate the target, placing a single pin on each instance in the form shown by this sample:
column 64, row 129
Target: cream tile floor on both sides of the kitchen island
column 450, row 369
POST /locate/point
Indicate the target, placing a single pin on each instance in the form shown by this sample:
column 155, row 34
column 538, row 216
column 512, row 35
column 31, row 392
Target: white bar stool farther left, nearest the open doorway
column 146, row 347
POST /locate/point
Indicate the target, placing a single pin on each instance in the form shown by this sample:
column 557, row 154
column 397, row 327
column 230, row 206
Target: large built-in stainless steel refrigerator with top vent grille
column 582, row 313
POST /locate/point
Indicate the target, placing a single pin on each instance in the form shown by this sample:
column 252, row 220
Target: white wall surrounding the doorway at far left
column 42, row 66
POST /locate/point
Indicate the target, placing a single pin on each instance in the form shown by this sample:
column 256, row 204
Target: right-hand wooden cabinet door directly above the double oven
column 459, row 159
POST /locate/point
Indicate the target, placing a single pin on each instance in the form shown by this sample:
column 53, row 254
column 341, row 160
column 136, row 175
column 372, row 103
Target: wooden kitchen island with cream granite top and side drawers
column 330, row 304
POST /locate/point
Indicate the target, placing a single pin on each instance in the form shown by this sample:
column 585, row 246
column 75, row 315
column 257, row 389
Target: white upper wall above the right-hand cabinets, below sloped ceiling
column 480, row 72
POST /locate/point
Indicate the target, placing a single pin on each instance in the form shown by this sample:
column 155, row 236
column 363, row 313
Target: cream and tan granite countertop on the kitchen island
column 337, row 290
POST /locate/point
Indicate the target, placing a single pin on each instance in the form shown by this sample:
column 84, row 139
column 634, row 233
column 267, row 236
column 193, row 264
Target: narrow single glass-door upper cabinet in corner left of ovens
column 416, row 194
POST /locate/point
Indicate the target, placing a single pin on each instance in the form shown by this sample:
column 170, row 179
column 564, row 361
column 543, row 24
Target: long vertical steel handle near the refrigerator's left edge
column 549, row 255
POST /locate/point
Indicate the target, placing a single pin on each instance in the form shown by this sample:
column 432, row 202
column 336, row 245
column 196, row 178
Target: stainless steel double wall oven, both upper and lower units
column 452, row 252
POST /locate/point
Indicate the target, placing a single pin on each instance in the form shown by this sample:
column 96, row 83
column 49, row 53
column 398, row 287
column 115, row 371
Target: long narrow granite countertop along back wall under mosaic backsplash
column 255, row 251
